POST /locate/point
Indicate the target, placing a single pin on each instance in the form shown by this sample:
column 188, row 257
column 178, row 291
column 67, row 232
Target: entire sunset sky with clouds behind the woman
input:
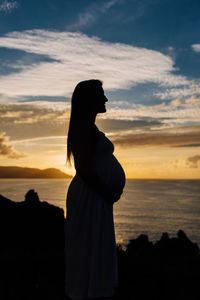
column 146, row 52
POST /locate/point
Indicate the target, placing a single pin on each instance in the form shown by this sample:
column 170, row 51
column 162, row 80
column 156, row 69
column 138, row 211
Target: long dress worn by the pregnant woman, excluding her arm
column 91, row 262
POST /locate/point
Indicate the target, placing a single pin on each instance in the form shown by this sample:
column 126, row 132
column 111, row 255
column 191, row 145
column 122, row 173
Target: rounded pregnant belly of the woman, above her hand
column 110, row 170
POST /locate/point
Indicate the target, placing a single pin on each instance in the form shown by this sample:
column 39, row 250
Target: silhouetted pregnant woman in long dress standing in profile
column 91, row 265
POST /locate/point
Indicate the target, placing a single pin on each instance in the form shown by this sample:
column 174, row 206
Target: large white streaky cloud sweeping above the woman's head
column 77, row 57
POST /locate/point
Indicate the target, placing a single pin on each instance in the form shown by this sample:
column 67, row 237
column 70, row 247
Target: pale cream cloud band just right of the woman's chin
column 178, row 111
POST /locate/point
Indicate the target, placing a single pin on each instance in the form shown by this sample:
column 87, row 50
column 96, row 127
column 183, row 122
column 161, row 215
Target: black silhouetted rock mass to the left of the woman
column 31, row 250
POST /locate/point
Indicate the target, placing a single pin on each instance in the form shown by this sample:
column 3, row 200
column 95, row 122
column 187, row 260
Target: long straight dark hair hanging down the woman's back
column 82, row 103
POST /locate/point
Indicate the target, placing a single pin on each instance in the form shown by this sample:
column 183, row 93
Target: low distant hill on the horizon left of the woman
column 18, row 172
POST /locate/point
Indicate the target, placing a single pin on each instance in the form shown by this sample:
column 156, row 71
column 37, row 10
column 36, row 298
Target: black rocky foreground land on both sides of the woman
column 32, row 258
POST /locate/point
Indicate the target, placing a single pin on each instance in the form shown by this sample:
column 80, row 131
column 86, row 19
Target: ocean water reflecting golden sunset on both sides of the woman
column 146, row 206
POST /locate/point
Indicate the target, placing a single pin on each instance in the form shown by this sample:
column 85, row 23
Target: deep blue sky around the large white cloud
column 169, row 27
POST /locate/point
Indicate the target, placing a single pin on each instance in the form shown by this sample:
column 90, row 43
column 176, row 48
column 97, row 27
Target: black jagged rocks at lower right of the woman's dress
column 168, row 268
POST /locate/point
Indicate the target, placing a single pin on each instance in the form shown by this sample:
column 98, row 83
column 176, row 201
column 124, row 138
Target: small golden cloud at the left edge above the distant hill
column 6, row 149
